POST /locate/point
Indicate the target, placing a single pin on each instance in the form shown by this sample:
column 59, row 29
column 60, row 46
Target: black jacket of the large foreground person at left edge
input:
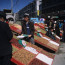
column 5, row 36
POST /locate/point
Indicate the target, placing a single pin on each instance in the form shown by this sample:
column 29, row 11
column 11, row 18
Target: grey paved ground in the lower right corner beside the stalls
column 60, row 56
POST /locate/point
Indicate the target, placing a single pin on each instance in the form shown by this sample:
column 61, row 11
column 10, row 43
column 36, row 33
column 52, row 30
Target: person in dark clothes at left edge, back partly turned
column 5, row 37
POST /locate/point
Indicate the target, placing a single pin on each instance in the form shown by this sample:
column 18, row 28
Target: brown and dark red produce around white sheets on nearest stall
column 27, row 58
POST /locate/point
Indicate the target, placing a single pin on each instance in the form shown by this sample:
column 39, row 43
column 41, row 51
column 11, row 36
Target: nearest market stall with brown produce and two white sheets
column 31, row 55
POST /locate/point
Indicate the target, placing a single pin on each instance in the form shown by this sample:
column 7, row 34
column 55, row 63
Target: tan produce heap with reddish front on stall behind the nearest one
column 45, row 43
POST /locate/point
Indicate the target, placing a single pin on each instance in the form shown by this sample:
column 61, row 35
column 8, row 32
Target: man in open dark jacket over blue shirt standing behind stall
column 28, row 29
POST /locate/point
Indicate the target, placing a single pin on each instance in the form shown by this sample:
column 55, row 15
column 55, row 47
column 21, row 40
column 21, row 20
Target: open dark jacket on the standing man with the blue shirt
column 31, row 26
